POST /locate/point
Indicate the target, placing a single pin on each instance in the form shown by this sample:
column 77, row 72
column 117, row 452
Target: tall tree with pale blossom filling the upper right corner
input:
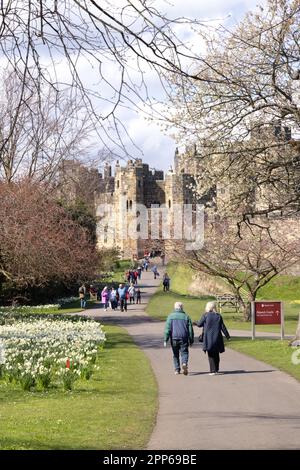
column 240, row 115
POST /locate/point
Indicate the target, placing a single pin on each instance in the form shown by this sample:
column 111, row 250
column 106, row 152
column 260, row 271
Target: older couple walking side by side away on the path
column 179, row 330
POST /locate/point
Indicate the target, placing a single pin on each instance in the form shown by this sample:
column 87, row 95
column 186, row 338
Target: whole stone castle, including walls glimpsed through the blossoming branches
column 130, row 200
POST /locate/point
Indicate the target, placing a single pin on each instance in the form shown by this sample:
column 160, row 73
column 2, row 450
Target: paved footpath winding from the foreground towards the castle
column 250, row 406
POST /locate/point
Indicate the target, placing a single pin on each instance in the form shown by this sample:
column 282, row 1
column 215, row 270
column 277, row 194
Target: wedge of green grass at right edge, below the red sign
column 274, row 352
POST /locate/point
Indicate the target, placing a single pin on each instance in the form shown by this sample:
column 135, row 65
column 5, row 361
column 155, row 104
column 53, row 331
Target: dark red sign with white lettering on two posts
column 267, row 313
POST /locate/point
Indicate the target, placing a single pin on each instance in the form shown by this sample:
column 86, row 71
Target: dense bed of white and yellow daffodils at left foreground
column 36, row 352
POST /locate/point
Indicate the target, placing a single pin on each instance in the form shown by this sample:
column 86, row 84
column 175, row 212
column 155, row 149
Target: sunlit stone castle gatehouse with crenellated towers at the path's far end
column 128, row 199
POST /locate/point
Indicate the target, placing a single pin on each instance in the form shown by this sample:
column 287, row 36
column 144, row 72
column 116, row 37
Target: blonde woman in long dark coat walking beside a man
column 213, row 343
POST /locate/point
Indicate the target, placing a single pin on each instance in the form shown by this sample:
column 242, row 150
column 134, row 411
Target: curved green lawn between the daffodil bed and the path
column 115, row 409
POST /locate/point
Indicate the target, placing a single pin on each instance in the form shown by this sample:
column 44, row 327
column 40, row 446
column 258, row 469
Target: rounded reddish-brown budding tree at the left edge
column 39, row 242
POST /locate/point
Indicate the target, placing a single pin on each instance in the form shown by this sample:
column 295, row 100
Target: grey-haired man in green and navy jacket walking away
column 179, row 330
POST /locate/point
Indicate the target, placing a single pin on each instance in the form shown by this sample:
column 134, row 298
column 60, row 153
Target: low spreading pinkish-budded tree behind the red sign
column 247, row 261
